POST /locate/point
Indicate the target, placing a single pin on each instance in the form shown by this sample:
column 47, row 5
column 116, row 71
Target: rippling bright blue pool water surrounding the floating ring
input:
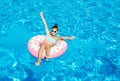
column 94, row 55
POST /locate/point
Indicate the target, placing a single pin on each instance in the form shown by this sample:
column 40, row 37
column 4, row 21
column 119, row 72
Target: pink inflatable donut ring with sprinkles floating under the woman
column 35, row 42
